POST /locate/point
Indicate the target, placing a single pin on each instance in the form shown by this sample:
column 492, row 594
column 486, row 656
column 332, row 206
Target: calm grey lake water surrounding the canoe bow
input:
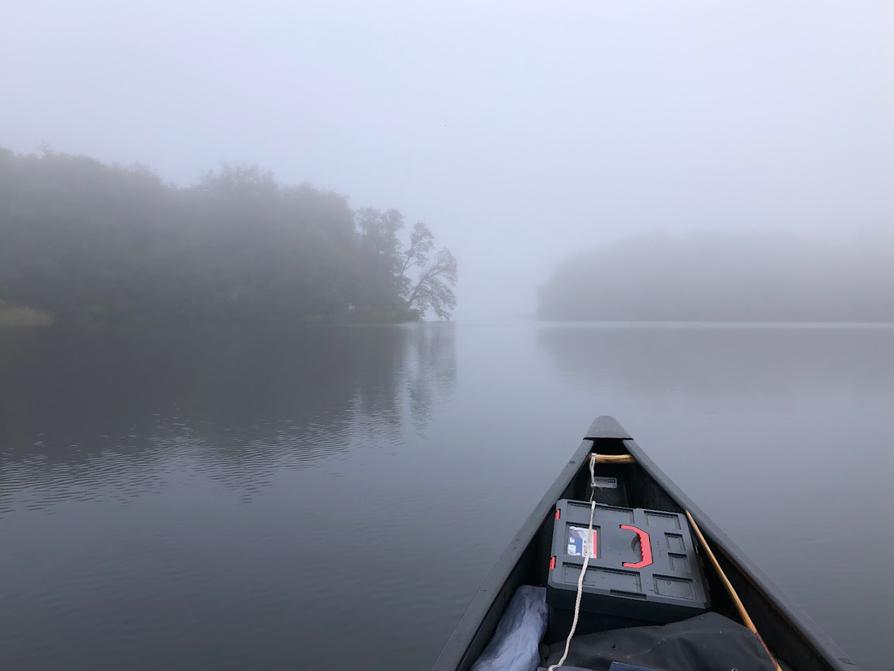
column 329, row 497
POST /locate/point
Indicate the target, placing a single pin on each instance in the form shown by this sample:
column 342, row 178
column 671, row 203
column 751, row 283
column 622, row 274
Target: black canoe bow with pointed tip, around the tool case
column 790, row 634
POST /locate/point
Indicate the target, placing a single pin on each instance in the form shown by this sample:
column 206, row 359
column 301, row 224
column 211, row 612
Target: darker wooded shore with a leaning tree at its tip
column 81, row 240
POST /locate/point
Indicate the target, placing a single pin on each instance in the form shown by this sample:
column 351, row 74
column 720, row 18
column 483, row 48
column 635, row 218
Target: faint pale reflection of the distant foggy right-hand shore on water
column 723, row 361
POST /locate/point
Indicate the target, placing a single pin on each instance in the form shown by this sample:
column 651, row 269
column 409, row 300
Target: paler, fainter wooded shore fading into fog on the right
column 745, row 276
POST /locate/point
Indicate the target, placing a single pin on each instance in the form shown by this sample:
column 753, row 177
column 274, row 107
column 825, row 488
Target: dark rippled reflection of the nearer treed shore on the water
column 113, row 413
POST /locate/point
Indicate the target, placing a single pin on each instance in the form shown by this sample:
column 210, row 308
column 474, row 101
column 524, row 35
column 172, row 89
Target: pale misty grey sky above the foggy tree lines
column 520, row 131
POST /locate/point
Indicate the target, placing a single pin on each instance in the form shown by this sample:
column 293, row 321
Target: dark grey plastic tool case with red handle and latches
column 645, row 567
